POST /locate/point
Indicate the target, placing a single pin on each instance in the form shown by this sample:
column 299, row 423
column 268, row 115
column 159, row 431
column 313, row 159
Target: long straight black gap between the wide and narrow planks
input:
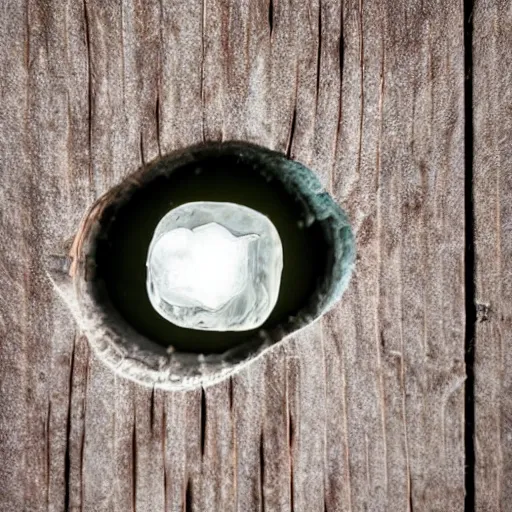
column 470, row 264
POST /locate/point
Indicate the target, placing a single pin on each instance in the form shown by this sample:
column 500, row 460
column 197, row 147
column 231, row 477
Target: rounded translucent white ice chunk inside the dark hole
column 214, row 266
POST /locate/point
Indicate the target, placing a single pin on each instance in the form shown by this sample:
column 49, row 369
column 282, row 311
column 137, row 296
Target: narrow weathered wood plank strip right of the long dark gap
column 492, row 77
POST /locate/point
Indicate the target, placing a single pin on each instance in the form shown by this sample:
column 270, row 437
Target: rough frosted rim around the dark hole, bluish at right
column 136, row 357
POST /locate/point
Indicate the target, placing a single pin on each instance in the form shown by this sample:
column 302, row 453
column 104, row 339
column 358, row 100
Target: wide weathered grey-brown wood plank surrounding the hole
column 361, row 411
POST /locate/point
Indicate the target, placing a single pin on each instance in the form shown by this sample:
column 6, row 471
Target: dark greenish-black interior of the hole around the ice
column 219, row 176
